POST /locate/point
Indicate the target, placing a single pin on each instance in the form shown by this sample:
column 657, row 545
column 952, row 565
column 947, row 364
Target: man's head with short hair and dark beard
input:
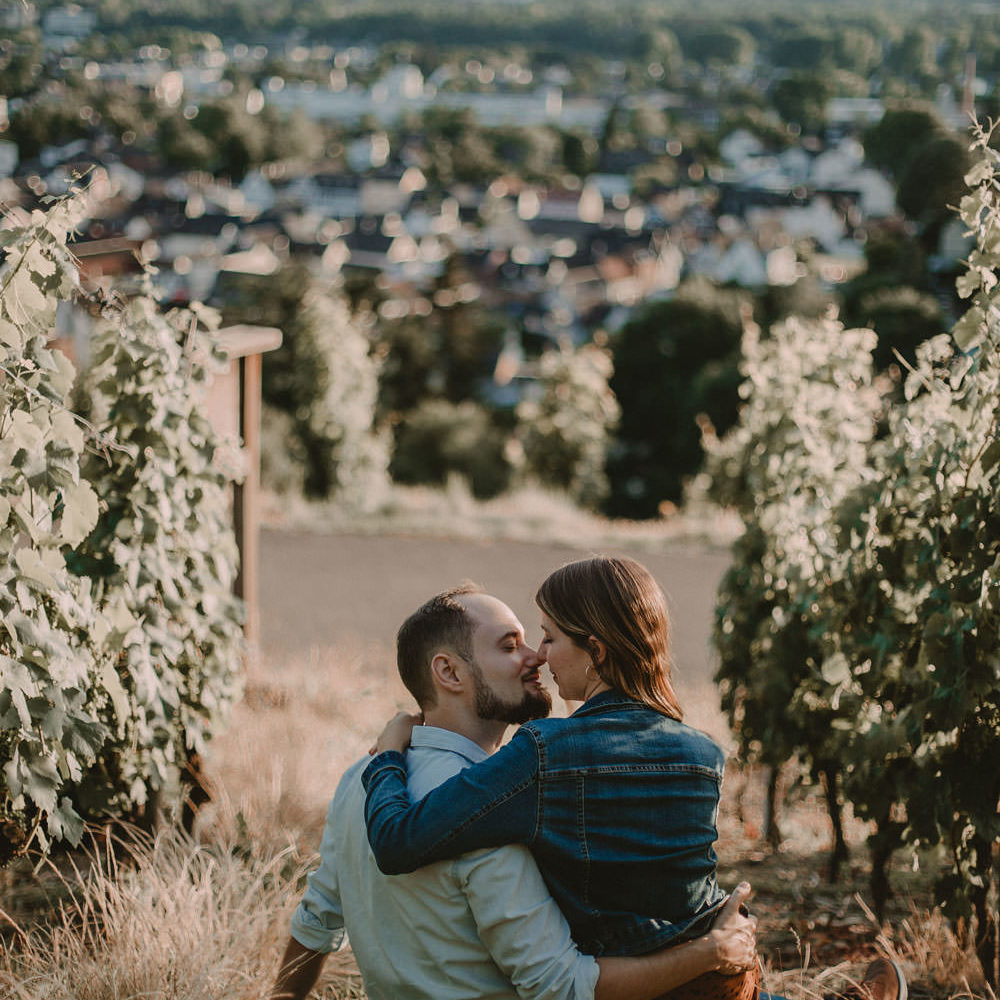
column 467, row 644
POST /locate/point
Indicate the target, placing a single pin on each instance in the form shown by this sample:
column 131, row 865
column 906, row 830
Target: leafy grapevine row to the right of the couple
column 877, row 621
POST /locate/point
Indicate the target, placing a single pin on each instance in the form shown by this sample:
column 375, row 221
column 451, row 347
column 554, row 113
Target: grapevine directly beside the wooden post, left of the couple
column 161, row 557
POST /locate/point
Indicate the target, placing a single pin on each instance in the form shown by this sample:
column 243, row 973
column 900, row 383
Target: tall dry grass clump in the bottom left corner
column 174, row 919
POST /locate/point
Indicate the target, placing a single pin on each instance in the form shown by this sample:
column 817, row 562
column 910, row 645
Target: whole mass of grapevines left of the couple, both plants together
column 120, row 639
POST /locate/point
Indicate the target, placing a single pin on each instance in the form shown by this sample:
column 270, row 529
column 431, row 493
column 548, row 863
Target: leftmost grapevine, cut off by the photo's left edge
column 51, row 693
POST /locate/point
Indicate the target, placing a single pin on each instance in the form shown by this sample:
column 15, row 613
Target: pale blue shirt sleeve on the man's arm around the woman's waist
column 523, row 929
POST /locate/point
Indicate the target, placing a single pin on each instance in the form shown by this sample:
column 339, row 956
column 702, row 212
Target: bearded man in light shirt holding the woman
column 484, row 925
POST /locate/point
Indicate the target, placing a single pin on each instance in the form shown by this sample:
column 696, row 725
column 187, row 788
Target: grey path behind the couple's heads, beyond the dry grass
column 324, row 590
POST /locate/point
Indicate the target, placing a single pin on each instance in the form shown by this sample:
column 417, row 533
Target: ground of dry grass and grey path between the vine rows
column 183, row 919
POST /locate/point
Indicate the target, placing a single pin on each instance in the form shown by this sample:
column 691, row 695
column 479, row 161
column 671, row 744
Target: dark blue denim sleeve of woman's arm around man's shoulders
column 486, row 805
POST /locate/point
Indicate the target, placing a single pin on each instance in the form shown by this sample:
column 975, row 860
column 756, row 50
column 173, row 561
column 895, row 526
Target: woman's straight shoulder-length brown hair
column 618, row 602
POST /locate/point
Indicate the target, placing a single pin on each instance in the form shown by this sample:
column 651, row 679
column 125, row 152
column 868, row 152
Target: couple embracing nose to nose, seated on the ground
column 574, row 862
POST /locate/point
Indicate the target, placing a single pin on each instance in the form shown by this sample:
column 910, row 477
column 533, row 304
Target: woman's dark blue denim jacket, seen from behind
column 618, row 804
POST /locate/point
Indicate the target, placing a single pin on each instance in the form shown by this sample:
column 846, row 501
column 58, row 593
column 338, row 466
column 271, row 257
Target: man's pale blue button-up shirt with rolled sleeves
column 479, row 927
